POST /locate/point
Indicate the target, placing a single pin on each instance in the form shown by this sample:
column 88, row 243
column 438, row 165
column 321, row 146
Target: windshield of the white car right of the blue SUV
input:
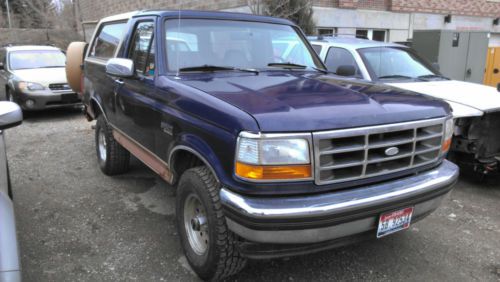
column 395, row 63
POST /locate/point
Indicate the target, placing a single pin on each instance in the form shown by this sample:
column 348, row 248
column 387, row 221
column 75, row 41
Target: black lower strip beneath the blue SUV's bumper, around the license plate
column 271, row 251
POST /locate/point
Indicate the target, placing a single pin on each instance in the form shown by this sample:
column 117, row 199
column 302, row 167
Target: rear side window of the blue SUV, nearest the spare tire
column 107, row 40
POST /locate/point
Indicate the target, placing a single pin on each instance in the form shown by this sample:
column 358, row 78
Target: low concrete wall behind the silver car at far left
column 61, row 38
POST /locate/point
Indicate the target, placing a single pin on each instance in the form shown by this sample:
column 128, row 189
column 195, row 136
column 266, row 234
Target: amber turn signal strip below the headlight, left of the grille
column 273, row 172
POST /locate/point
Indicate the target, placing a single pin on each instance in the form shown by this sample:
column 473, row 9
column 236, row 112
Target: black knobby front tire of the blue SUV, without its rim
column 222, row 258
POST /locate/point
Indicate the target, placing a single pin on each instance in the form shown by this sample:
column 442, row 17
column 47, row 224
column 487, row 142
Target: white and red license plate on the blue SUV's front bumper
column 395, row 221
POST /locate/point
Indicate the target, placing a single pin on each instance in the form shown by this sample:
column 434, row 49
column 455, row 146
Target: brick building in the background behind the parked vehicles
column 389, row 20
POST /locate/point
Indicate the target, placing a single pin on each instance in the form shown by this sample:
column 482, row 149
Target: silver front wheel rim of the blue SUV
column 196, row 224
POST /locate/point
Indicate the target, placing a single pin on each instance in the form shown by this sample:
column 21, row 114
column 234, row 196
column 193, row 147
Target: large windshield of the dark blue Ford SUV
column 201, row 45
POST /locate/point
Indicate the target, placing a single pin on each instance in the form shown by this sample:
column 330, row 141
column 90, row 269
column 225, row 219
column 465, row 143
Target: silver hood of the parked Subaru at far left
column 44, row 76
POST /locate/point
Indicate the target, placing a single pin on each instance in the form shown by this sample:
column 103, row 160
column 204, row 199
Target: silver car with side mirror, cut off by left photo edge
column 10, row 270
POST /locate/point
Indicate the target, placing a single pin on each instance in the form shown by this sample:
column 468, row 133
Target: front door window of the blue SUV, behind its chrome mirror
column 140, row 48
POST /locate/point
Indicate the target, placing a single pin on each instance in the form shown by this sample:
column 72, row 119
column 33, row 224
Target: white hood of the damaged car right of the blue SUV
column 466, row 99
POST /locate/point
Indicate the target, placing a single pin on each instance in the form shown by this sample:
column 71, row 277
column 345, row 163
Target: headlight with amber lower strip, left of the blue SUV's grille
column 273, row 157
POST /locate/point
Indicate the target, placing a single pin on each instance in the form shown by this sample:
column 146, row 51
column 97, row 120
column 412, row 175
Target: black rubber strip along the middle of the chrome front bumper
column 325, row 221
